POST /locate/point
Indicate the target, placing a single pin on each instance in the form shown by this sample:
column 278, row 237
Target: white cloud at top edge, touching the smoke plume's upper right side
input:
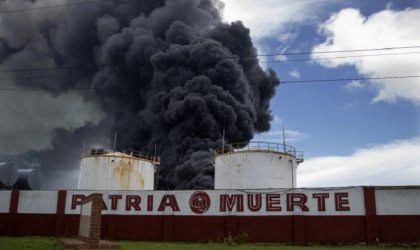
column 268, row 18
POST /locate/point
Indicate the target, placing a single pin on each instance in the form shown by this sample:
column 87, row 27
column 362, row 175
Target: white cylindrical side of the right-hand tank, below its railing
column 255, row 170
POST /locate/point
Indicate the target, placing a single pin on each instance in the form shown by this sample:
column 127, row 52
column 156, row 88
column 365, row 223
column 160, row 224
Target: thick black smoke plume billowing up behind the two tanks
column 169, row 74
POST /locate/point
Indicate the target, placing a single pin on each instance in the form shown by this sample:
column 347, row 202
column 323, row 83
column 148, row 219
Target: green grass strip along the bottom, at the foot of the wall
column 48, row 243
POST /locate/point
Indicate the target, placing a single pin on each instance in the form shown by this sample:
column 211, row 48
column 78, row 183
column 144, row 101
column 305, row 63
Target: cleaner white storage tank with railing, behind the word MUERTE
column 256, row 165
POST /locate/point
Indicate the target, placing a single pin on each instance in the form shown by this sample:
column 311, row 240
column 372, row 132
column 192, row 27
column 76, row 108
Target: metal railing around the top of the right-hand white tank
column 260, row 146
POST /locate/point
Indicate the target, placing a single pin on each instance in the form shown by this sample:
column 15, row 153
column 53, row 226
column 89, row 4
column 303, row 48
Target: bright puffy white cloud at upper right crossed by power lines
column 349, row 29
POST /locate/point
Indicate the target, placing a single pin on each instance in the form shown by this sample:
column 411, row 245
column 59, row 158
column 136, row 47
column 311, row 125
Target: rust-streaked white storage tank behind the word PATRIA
column 102, row 169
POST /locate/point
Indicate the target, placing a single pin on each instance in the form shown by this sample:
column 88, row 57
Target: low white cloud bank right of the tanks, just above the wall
column 396, row 163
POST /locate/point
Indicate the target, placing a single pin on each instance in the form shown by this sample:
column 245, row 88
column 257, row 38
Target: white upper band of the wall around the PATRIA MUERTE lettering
column 389, row 201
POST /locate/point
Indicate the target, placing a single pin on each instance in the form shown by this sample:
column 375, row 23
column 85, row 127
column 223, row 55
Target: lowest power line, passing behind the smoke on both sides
column 281, row 82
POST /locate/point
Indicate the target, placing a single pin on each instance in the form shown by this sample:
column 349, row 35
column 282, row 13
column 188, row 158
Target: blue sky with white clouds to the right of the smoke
column 367, row 132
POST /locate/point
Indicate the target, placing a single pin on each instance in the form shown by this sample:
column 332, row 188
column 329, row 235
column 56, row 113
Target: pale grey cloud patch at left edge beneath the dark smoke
column 28, row 119
